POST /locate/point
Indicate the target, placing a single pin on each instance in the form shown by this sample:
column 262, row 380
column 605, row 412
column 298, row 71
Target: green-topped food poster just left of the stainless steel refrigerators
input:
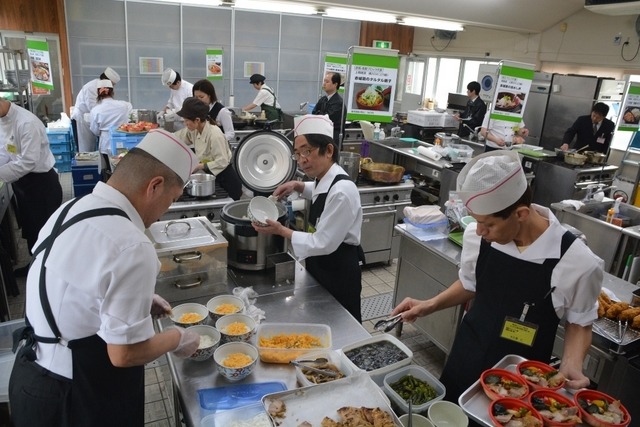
column 511, row 91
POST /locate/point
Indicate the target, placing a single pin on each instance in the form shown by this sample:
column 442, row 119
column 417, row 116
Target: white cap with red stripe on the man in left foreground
column 168, row 149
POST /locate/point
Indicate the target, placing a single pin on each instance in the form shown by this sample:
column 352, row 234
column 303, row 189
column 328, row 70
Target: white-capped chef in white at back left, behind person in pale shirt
column 85, row 101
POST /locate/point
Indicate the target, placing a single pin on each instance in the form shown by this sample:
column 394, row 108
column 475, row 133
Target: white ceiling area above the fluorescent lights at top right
column 527, row 16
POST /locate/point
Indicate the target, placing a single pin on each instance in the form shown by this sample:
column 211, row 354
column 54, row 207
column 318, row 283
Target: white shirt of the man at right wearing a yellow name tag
column 579, row 268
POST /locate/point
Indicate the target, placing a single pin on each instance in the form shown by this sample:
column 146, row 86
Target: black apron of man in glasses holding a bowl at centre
column 339, row 272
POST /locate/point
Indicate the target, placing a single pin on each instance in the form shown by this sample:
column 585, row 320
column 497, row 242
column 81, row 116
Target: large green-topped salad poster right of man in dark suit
column 372, row 84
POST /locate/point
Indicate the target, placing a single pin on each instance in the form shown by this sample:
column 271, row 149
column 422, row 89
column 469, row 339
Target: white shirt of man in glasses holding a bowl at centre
column 340, row 221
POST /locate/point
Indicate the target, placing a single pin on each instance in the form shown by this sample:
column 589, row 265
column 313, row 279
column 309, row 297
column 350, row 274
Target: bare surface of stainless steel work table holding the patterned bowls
column 301, row 301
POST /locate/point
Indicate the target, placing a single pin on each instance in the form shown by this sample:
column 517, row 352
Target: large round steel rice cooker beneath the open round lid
column 248, row 249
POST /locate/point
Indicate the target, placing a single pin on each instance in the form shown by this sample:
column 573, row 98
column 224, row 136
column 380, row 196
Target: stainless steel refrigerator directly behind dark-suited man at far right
column 571, row 96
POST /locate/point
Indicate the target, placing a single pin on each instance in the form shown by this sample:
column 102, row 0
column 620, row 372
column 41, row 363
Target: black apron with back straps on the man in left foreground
column 101, row 394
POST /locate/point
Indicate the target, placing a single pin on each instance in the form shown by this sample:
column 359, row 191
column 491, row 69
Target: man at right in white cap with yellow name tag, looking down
column 524, row 271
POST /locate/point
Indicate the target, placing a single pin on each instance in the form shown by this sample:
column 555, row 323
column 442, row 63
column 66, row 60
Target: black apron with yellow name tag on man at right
column 503, row 285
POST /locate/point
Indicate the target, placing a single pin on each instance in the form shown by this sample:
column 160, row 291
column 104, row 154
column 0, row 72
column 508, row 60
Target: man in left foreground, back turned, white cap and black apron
column 83, row 362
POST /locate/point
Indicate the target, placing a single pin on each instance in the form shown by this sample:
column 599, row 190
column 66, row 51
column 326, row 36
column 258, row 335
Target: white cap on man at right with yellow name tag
column 492, row 182
